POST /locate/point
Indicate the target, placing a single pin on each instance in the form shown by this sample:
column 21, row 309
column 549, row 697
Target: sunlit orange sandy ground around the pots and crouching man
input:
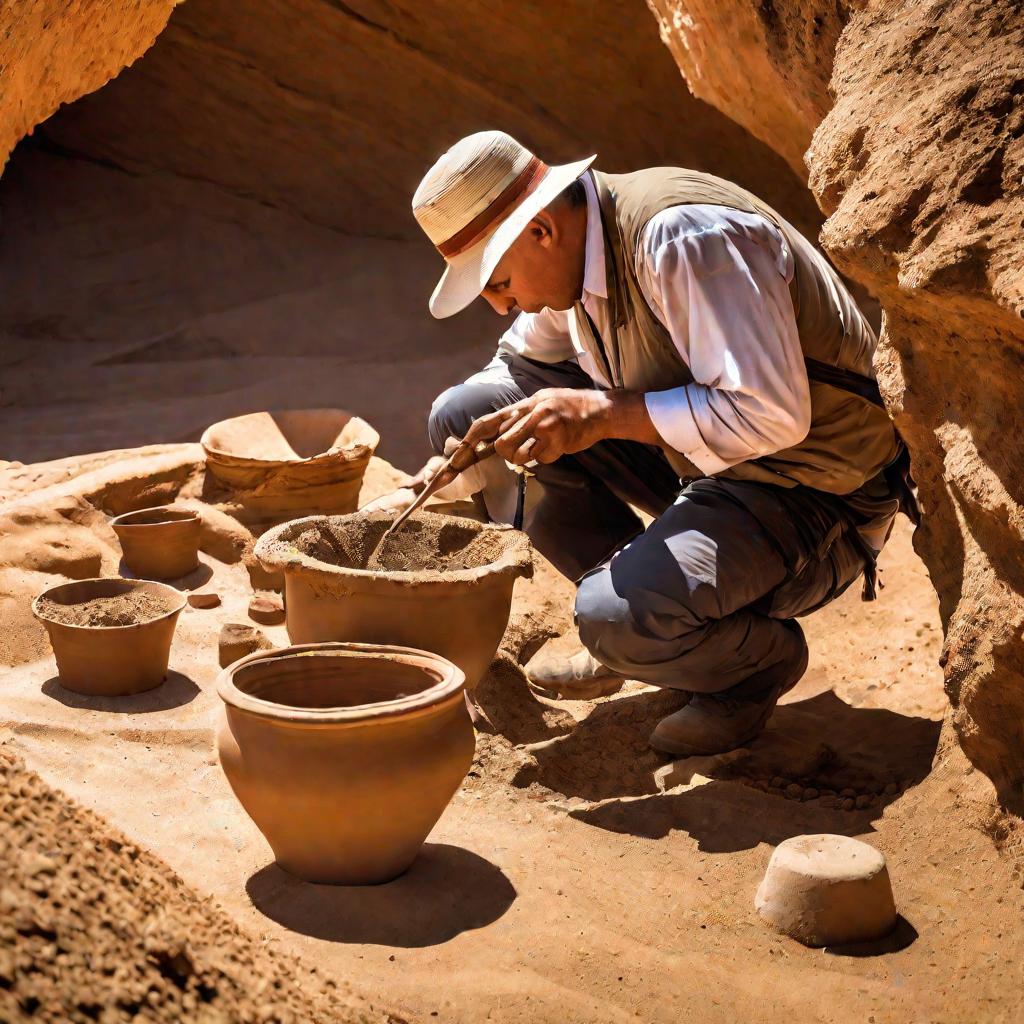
column 577, row 876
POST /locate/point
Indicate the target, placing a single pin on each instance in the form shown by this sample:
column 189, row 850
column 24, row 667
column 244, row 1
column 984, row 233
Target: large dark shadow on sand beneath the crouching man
column 821, row 744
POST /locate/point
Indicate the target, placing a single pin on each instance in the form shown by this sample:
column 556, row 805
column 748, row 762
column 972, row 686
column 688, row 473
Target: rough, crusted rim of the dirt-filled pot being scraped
column 516, row 559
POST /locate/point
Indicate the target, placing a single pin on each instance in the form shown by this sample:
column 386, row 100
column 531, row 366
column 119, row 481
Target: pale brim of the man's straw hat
column 467, row 274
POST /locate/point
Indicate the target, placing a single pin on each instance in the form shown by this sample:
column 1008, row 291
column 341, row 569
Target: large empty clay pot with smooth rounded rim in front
column 345, row 755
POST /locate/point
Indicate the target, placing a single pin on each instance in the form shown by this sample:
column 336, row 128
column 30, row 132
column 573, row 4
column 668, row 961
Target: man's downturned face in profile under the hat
column 542, row 270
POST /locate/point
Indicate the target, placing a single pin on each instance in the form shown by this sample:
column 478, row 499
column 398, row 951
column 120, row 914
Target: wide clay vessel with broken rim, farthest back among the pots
column 291, row 463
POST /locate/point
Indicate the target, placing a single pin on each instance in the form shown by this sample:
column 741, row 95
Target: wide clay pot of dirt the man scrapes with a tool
column 440, row 583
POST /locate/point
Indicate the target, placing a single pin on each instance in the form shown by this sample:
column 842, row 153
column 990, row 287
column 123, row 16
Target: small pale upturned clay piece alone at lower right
column 828, row 890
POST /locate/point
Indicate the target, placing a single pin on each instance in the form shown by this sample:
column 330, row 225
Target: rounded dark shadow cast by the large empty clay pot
column 446, row 892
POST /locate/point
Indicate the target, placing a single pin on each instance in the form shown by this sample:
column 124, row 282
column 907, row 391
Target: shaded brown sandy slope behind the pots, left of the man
column 140, row 309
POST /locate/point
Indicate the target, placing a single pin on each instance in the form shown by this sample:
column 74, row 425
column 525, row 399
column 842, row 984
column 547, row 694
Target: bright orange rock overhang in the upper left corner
column 53, row 52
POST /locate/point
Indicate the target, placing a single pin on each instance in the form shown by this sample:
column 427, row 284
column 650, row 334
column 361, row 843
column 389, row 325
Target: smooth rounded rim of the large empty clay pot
column 447, row 691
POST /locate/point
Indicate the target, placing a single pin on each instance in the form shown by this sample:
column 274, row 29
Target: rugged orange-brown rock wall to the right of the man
column 919, row 159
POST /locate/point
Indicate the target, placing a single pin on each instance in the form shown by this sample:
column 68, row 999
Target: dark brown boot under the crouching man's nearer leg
column 714, row 723
